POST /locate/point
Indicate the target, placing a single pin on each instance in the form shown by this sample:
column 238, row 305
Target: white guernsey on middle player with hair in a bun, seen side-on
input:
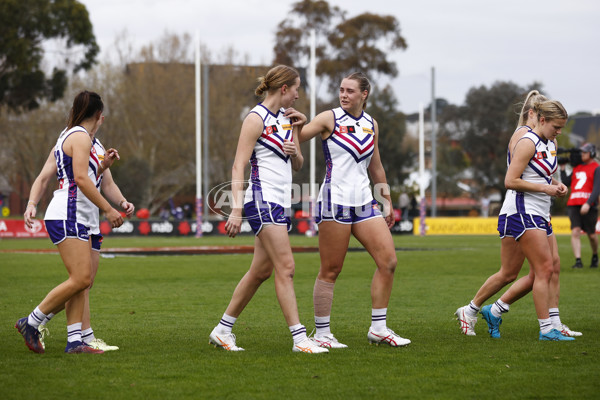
column 271, row 168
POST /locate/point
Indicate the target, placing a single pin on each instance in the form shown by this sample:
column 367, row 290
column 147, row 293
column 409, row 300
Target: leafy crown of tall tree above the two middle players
column 362, row 43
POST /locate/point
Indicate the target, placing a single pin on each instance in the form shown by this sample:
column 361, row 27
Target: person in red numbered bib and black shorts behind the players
column 583, row 201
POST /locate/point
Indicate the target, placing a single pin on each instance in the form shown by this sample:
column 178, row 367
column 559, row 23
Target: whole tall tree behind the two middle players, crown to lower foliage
column 362, row 43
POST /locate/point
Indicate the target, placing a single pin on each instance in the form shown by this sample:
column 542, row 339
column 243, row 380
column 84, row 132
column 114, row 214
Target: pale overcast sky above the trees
column 469, row 42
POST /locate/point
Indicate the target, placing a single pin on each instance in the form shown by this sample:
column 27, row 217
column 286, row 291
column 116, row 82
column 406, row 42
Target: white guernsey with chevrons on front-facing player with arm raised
column 348, row 151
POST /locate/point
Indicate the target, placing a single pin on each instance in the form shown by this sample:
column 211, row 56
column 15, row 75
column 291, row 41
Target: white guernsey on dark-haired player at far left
column 68, row 202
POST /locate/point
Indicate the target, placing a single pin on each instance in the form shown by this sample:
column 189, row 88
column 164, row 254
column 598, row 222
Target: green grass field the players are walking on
column 160, row 310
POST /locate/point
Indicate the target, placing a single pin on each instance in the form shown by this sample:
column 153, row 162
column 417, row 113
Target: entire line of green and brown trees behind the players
column 149, row 97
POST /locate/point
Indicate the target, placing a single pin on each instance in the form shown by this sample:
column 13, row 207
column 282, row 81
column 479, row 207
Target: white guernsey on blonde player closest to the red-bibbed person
column 540, row 169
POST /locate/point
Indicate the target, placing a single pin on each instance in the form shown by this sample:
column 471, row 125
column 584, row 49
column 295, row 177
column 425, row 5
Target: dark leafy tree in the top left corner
column 25, row 27
